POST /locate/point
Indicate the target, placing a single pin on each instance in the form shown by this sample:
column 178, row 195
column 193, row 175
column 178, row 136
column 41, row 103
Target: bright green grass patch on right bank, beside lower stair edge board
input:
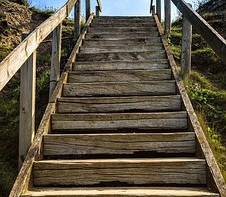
column 205, row 98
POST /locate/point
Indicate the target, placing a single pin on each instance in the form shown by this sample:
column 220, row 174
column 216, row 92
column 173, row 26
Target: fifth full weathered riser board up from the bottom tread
column 121, row 88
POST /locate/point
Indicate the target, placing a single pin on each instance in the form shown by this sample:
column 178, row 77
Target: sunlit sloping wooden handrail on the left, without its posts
column 14, row 61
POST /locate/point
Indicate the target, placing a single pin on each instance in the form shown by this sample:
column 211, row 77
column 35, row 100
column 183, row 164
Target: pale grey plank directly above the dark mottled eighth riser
column 105, row 49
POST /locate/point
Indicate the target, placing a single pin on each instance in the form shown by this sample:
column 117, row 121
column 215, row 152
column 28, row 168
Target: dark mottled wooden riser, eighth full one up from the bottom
column 111, row 56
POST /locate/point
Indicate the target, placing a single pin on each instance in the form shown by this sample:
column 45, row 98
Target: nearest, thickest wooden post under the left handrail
column 27, row 105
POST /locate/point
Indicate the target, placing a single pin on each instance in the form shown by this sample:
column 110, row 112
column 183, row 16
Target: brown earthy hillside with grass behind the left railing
column 15, row 18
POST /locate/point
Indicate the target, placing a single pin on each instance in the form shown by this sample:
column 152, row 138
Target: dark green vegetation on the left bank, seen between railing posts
column 9, row 96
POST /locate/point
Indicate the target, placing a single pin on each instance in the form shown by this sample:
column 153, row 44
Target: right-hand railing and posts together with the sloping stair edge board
column 218, row 44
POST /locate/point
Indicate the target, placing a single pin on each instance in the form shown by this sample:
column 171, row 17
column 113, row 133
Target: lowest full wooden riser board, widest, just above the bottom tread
column 128, row 171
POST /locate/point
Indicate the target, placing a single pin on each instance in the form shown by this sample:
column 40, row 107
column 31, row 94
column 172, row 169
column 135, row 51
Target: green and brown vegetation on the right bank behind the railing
column 206, row 87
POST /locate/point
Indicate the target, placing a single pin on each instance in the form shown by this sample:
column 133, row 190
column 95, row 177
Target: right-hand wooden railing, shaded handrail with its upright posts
column 191, row 18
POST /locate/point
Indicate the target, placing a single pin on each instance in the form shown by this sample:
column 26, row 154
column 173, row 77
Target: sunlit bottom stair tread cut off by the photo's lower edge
column 122, row 192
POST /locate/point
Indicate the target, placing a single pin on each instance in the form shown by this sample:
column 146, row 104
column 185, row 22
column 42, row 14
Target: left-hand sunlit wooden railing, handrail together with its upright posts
column 24, row 57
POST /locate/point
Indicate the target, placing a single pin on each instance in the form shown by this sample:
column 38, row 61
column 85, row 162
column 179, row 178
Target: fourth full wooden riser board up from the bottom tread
column 119, row 104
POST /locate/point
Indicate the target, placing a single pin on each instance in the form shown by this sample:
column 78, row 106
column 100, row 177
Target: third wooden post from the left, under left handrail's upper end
column 77, row 12
